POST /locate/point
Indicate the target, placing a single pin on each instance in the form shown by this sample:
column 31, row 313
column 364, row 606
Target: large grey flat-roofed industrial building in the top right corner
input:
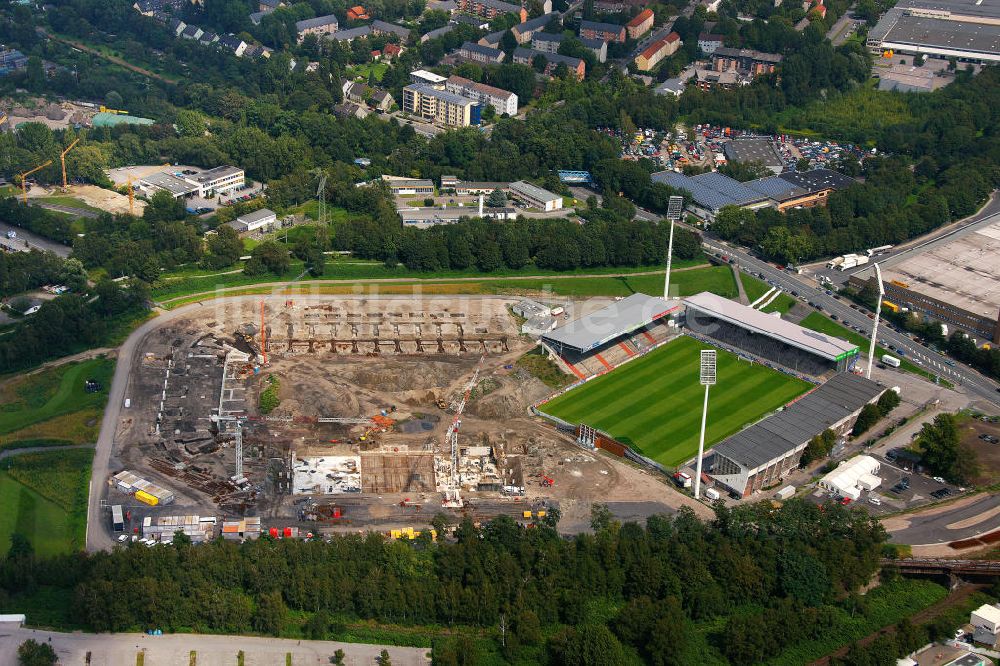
column 968, row 30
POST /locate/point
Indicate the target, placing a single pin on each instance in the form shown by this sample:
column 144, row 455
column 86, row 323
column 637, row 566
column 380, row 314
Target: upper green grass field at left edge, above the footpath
column 52, row 406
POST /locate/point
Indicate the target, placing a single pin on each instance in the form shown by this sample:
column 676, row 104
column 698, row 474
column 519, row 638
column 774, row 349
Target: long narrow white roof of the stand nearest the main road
column 746, row 317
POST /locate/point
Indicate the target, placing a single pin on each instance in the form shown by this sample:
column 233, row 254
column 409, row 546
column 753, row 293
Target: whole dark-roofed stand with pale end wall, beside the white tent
column 761, row 455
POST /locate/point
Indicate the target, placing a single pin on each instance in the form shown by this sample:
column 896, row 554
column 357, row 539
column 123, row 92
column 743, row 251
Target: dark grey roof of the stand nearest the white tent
column 807, row 417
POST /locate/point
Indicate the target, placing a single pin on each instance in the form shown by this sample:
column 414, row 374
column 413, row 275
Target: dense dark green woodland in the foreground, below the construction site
column 763, row 578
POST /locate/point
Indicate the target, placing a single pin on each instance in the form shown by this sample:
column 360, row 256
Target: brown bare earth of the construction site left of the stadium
column 418, row 390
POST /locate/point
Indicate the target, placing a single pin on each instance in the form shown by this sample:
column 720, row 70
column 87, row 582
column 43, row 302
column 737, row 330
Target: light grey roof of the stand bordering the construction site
column 621, row 317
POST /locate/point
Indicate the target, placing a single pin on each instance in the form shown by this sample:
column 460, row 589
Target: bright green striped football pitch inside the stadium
column 654, row 403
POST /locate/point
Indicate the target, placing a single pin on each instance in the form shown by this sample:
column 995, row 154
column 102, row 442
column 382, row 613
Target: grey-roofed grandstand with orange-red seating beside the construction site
column 603, row 339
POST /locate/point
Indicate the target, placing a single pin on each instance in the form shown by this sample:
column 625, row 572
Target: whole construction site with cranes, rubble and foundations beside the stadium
column 341, row 412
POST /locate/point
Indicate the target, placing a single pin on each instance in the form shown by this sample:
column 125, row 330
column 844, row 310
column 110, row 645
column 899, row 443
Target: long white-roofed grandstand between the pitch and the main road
column 767, row 336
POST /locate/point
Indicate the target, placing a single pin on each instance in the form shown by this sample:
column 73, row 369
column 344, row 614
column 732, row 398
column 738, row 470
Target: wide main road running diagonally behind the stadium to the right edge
column 975, row 383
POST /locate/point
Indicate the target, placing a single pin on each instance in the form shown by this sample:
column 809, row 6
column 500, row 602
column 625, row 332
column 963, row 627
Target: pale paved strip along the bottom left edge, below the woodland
column 122, row 649
